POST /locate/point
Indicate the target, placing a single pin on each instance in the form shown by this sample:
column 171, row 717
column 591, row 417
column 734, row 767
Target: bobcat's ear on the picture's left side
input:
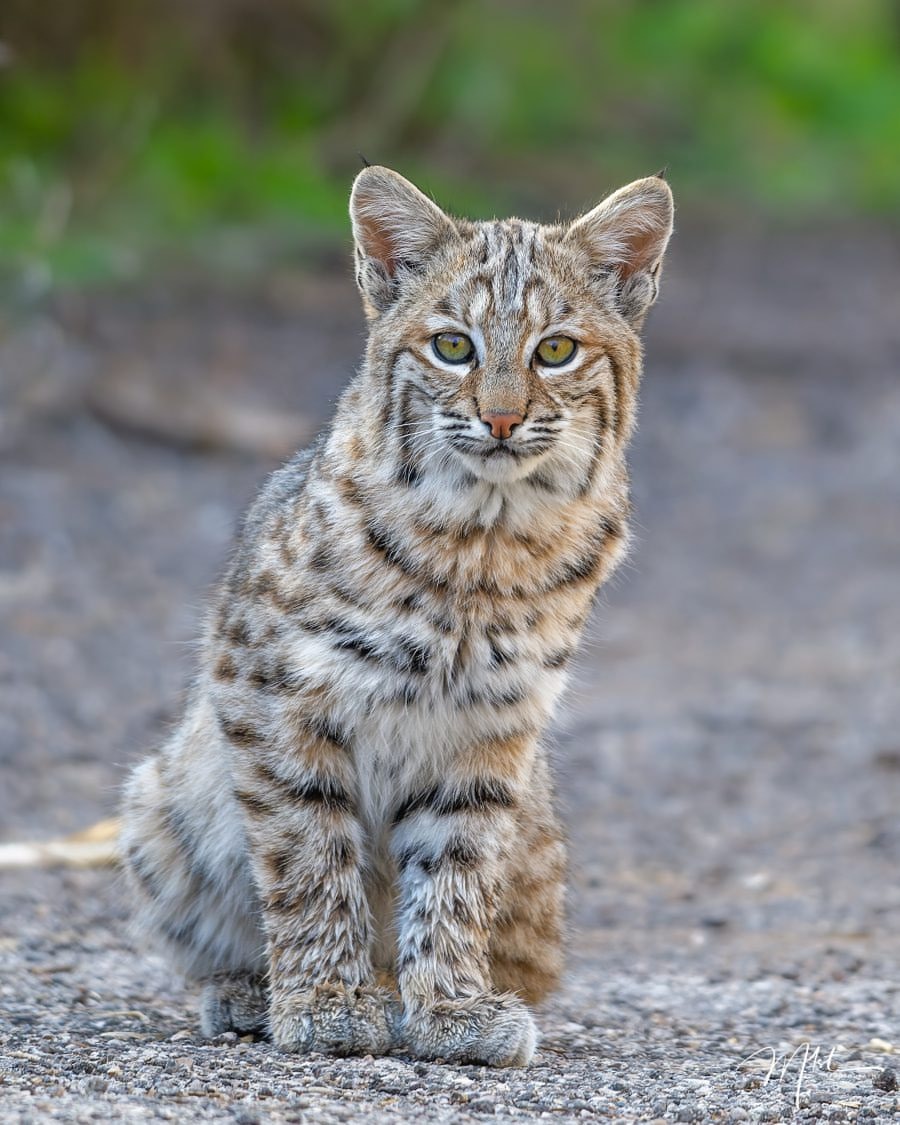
column 397, row 229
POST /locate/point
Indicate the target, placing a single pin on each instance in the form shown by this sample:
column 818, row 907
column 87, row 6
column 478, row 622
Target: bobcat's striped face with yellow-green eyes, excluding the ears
column 509, row 375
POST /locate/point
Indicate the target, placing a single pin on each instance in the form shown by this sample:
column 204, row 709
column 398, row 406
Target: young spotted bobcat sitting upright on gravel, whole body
column 350, row 841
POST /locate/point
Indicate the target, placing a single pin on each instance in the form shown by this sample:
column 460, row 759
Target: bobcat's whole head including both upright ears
column 501, row 341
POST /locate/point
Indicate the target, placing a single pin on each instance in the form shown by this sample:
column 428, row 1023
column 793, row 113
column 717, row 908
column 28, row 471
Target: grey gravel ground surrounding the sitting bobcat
column 730, row 755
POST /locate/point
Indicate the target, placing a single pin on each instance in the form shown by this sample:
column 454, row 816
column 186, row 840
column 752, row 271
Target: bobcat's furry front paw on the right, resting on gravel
column 494, row 1030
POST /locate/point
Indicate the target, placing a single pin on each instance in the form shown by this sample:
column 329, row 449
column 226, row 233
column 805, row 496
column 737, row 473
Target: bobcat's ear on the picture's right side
column 627, row 237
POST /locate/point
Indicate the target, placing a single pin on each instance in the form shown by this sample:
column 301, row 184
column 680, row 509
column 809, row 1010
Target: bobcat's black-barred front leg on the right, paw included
column 453, row 845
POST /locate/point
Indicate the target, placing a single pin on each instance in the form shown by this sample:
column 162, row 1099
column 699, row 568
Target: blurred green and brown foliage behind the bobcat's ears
column 130, row 130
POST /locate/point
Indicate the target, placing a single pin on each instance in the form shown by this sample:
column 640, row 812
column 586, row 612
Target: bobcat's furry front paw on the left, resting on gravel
column 335, row 1020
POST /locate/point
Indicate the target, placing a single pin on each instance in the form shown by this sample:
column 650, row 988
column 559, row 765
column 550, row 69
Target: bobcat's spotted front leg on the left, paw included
column 307, row 851
